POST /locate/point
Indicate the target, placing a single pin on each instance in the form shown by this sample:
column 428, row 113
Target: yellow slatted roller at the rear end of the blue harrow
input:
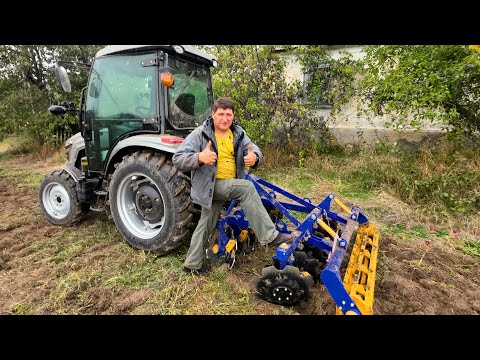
column 359, row 279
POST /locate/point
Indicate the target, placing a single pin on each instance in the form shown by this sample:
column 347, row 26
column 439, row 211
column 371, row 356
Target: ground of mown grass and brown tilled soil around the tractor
column 424, row 266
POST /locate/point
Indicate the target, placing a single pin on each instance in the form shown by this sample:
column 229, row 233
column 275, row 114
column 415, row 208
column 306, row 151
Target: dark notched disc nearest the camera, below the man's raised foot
column 284, row 287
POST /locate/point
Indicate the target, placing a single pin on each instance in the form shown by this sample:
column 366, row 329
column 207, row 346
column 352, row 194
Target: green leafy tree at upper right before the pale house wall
column 440, row 84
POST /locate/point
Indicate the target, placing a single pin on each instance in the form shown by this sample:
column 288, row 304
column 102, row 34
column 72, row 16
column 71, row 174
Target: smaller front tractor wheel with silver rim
column 58, row 200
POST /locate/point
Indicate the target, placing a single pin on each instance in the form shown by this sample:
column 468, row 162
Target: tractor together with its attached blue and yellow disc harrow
column 140, row 102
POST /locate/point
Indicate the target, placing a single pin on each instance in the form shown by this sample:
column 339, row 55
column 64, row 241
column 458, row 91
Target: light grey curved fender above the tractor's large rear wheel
column 146, row 141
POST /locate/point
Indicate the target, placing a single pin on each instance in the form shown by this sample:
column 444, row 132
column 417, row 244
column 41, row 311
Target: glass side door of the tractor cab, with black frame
column 121, row 98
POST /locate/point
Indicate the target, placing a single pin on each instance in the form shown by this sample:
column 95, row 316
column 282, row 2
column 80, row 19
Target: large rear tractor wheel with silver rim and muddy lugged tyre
column 150, row 202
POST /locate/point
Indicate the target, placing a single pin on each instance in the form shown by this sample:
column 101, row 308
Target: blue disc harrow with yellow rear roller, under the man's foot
column 338, row 249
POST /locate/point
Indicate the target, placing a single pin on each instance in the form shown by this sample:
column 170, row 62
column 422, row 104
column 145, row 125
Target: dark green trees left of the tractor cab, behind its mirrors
column 28, row 86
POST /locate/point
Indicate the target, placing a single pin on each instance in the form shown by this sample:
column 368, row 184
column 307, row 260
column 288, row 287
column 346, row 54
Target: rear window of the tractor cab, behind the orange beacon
column 190, row 98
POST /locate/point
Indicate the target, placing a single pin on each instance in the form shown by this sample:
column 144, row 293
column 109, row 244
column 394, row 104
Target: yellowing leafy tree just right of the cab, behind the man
column 253, row 77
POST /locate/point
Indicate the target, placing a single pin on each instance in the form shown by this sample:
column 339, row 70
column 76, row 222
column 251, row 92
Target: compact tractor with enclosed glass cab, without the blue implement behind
column 140, row 103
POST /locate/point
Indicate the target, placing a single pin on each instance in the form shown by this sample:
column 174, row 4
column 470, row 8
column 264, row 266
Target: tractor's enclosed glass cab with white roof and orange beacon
column 141, row 89
